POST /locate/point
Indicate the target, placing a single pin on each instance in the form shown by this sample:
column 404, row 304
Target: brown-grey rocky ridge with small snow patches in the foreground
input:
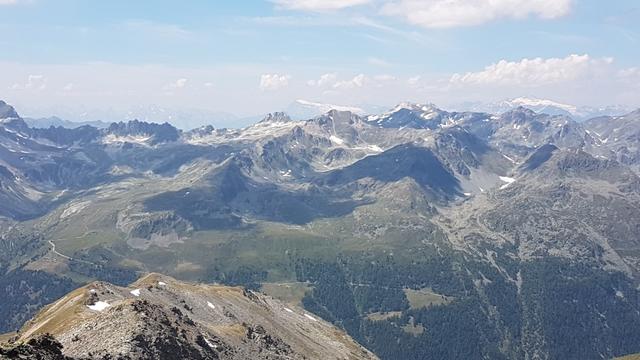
column 161, row 318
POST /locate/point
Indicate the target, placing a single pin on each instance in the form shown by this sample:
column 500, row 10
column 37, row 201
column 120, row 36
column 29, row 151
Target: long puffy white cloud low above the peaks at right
column 534, row 72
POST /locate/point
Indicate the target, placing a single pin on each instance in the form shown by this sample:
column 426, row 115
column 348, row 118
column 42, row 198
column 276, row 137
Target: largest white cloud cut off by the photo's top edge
column 457, row 13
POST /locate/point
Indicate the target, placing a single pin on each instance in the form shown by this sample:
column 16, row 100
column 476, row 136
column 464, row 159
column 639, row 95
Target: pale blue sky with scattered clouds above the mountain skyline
column 76, row 58
